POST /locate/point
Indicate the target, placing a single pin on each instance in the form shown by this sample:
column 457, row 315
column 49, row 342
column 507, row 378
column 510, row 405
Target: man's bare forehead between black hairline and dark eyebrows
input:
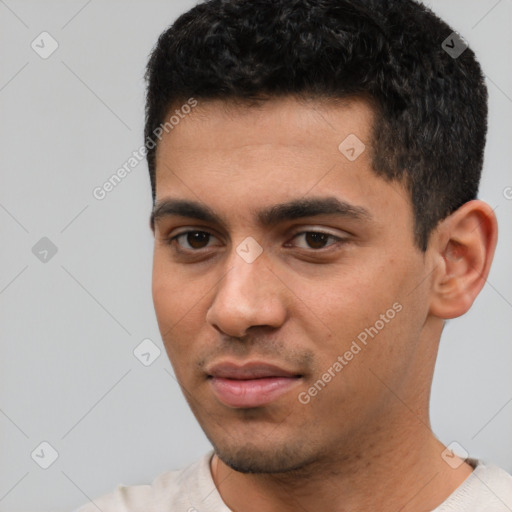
column 240, row 157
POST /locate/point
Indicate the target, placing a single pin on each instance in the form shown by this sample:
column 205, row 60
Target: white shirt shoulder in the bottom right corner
column 488, row 488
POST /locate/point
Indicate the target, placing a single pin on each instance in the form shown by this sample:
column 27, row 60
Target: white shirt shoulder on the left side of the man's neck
column 170, row 490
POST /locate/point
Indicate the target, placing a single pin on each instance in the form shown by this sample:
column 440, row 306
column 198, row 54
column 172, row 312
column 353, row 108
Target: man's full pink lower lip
column 253, row 392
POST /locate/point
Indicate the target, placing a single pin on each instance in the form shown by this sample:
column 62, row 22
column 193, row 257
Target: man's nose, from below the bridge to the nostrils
column 248, row 295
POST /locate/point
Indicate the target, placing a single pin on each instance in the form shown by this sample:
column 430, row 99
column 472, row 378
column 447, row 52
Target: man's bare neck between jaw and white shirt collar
column 400, row 469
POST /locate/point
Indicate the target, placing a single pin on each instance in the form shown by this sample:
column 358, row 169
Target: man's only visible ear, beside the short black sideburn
column 463, row 247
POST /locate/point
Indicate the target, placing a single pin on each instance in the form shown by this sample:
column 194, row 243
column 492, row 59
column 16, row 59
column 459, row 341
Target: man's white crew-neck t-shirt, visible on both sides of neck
column 487, row 489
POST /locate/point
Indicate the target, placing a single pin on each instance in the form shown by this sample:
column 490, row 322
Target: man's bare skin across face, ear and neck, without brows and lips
column 364, row 441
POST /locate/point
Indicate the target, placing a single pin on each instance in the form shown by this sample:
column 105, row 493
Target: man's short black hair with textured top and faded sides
column 430, row 105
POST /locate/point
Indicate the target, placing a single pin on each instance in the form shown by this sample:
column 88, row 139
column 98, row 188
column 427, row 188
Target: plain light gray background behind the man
column 69, row 325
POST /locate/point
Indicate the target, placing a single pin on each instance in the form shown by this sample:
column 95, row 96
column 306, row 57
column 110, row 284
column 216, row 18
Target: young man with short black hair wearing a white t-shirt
column 315, row 167
